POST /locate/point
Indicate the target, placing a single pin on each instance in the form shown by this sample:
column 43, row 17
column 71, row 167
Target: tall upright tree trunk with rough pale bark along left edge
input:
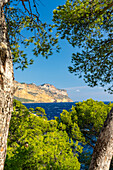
column 6, row 86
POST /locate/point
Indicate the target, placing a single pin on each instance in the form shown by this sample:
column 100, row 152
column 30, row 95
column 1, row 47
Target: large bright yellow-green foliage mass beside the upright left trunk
column 36, row 143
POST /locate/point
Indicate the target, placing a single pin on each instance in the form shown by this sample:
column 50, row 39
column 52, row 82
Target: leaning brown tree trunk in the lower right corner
column 103, row 150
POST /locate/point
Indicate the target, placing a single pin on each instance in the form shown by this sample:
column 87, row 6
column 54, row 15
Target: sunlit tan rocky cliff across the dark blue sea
column 45, row 93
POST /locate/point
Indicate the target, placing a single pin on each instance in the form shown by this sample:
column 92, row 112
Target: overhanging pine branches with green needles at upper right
column 88, row 25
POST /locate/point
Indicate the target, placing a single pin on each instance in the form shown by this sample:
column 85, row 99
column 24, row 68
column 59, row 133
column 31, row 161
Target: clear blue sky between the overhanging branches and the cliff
column 54, row 70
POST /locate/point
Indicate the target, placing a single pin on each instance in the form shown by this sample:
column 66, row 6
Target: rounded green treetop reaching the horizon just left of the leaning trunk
column 91, row 116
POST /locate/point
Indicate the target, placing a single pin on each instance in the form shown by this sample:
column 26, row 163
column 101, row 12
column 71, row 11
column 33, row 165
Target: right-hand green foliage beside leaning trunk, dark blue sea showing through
column 83, row 123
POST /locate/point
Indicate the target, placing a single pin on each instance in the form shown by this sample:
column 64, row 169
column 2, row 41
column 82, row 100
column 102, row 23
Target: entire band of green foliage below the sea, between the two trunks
column 36, row 142
